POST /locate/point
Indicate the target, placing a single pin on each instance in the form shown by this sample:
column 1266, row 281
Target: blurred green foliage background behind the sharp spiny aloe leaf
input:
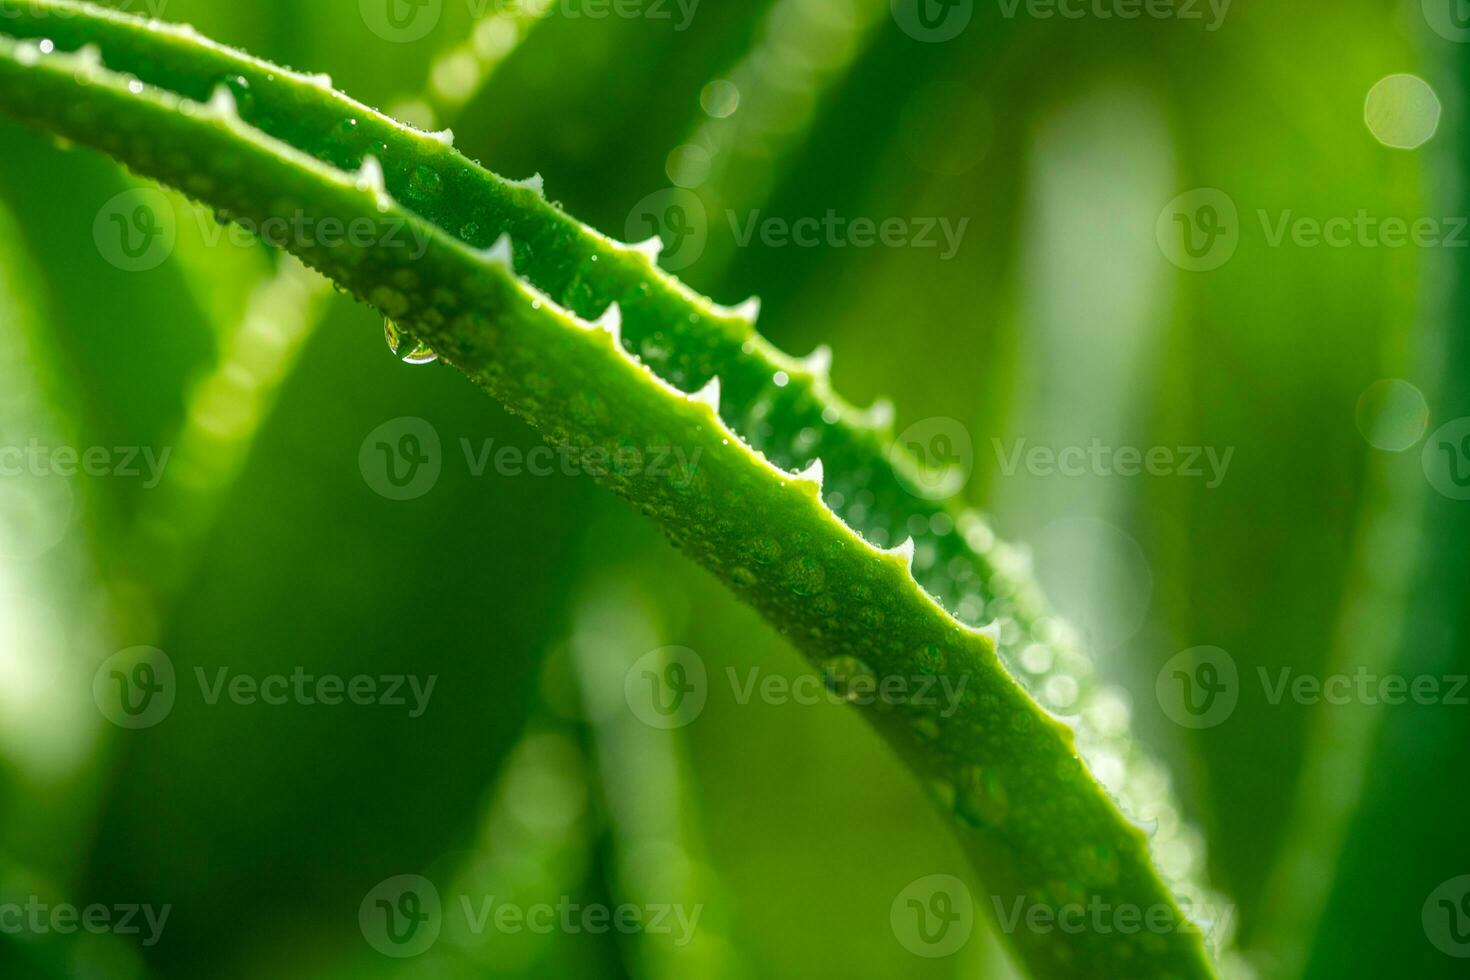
column 1333, row 543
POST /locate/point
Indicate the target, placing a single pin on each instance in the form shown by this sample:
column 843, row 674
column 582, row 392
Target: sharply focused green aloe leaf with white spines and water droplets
column 799, row 502
